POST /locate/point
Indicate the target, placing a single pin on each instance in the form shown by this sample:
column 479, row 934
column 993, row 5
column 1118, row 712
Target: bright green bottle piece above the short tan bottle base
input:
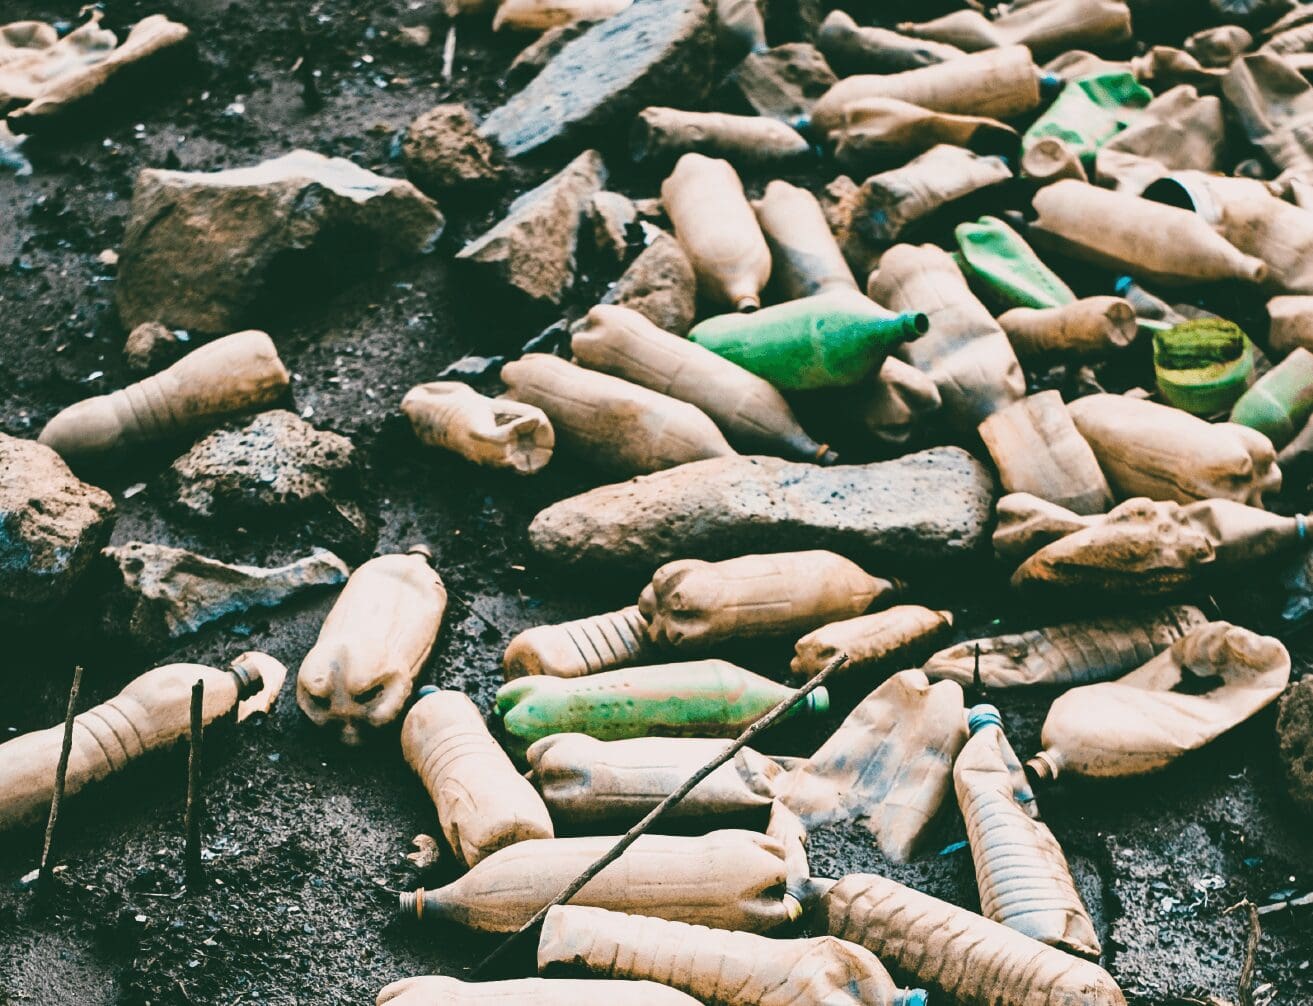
column 999, row 259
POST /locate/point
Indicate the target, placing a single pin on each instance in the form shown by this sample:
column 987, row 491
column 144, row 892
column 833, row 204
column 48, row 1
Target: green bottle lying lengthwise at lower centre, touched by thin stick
column 693, row 699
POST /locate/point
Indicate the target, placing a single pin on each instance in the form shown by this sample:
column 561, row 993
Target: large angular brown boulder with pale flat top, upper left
column 205, row 250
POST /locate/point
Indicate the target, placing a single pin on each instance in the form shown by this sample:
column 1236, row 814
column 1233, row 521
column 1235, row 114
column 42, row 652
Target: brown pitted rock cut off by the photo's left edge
column 52, row 525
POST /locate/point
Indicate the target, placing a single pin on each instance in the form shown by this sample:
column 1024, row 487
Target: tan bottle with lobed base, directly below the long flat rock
column 698, row 605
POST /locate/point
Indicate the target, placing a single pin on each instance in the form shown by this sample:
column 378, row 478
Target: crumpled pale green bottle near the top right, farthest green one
column 1090, row 112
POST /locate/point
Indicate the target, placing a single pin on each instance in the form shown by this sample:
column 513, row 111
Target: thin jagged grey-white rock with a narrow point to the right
column 166, row 593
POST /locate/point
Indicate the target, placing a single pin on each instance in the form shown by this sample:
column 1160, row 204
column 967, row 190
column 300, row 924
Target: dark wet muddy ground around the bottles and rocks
column 307, row 840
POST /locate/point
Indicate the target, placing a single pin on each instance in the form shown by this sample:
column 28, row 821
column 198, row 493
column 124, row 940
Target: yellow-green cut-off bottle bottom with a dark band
column 1203, row 366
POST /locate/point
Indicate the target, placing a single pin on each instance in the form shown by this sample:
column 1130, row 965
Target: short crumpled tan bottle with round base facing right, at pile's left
column 496, row 433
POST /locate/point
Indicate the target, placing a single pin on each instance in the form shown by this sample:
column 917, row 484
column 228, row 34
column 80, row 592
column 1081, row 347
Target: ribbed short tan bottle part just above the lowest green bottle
column 573, row 649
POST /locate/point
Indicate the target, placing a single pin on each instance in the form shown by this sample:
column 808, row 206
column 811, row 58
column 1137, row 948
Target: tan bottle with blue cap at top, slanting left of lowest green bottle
column 483, row 803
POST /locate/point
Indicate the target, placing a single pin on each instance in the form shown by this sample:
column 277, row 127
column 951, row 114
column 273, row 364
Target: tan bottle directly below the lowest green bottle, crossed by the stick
column 586, row 782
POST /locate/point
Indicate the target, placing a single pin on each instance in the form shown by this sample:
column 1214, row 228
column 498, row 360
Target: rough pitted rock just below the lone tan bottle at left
column 276, row 470
